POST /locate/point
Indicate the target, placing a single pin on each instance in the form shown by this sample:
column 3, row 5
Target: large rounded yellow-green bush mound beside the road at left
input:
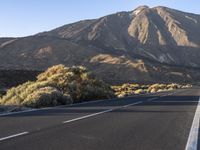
column 57, row 86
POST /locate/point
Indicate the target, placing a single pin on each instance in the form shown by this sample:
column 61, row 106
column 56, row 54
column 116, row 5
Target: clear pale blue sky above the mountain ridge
column 27, row 17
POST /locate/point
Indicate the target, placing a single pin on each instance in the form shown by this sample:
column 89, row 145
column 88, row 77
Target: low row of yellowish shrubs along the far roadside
column 133, row 89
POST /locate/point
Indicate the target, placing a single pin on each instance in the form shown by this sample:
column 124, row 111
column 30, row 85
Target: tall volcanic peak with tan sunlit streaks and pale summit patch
column 161, row 34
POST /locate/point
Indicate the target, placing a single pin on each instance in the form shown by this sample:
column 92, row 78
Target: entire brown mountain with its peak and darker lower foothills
column 144, row 45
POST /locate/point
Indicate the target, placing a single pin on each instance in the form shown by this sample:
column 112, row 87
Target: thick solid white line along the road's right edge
column 194, row 131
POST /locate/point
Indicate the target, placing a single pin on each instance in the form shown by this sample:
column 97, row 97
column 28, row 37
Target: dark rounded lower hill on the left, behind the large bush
column 37, row 53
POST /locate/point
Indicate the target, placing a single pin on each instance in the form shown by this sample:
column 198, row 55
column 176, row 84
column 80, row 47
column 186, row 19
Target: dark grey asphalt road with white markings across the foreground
column 162, row 121
